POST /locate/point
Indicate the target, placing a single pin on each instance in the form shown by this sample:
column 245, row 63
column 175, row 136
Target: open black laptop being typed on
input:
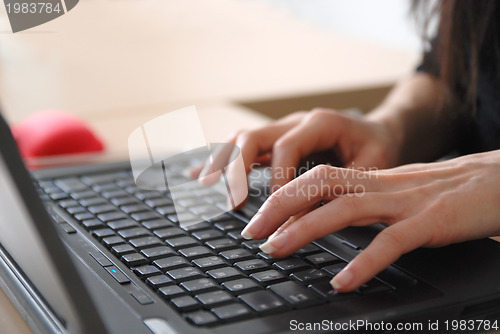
column 84, row 250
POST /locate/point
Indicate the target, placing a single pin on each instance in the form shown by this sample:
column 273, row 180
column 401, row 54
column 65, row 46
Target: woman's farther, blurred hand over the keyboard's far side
column 359, row 142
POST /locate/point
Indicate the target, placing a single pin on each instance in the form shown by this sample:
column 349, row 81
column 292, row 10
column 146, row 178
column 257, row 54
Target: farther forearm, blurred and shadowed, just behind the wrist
column 424, row 128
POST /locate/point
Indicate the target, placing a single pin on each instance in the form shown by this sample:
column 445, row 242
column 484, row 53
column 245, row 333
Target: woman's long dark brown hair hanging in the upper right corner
column 467, row 32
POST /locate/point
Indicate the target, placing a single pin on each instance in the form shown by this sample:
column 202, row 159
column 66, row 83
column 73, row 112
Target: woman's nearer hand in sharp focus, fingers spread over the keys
column 424, row 205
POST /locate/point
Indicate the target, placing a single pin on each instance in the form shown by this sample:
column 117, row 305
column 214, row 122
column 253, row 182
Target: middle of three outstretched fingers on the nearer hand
column 346, row 210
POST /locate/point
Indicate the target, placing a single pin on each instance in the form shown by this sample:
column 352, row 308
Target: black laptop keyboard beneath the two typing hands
column 206, row 271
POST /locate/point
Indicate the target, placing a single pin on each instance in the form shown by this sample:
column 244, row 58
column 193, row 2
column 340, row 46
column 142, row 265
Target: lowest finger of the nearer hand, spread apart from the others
column 386, row 248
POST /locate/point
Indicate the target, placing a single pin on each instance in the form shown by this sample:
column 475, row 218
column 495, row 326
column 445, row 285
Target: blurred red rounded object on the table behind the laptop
column 53, row 133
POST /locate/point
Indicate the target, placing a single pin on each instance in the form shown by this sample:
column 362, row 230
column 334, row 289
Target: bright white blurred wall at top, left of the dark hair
column 385, row 22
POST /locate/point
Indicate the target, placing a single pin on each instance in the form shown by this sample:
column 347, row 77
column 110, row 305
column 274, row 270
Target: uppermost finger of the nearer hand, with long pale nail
column 320, row 183
